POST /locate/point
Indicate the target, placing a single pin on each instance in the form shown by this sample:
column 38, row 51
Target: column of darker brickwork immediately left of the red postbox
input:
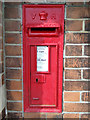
column 14, row 57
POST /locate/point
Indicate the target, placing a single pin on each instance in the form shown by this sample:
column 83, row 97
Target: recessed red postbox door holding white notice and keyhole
column 43, row 84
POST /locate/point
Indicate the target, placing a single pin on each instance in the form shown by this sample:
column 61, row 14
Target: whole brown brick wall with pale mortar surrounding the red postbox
column 76, row 80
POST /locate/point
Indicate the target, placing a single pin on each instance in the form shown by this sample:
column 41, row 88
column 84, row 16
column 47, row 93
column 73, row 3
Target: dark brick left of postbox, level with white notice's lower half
column 13, row 62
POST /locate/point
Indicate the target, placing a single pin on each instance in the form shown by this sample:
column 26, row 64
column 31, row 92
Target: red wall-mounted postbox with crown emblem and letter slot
column 43, row 34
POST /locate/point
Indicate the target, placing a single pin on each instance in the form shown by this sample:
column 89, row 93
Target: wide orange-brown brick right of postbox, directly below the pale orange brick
column 76, row 107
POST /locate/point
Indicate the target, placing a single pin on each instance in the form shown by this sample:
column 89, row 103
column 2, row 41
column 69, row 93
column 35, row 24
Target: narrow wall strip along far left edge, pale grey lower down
column 2, row 83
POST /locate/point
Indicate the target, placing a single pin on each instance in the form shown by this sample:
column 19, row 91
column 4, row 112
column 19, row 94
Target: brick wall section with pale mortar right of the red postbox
column 77, row 61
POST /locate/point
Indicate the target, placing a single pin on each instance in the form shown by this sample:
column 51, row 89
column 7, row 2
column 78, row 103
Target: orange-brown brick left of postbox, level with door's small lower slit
column 14, row 95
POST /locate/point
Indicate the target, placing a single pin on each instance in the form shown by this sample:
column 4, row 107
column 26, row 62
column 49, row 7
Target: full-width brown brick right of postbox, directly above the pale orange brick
column 77, row 85
